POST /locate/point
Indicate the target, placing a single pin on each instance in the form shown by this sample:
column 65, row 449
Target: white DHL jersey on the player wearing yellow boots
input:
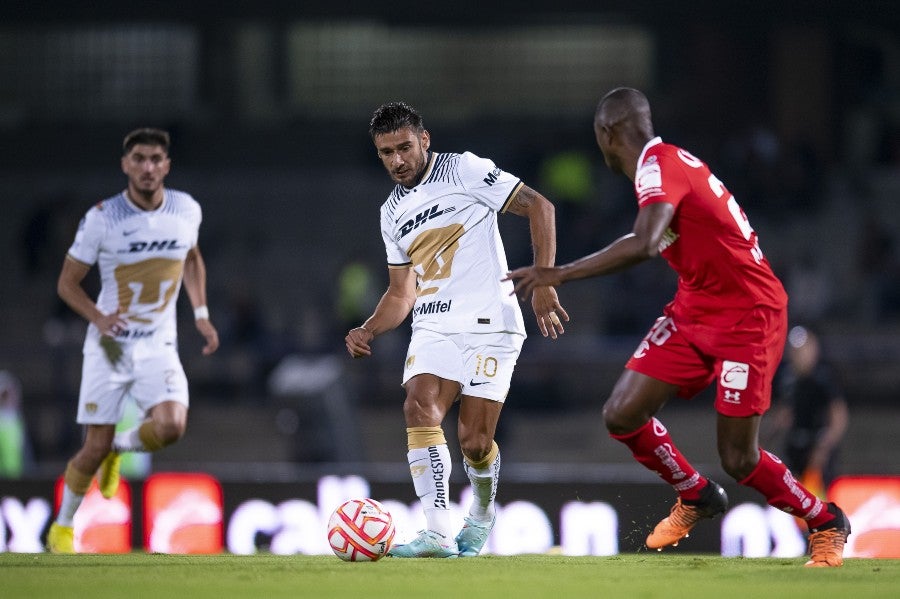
column 140, row 255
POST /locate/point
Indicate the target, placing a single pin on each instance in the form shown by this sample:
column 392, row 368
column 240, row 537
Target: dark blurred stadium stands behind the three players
column 795, row 106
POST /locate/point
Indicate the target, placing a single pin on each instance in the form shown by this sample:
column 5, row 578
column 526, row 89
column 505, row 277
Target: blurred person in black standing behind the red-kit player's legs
column 810, row 411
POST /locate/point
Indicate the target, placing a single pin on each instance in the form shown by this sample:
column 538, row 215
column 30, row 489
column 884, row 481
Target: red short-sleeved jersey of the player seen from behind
column 722, row 271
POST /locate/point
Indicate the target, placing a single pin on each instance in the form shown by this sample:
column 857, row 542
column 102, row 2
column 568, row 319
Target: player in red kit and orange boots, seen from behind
column 727, row 323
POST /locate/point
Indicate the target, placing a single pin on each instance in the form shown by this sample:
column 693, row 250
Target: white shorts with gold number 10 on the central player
column 482, row 363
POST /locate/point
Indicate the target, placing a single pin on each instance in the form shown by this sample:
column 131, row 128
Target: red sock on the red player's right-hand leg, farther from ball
column 772, row 478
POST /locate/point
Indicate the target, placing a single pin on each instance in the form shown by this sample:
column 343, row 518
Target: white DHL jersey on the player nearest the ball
column 445, row 228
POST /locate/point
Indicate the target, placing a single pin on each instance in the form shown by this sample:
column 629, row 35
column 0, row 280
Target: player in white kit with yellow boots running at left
column 144, row 244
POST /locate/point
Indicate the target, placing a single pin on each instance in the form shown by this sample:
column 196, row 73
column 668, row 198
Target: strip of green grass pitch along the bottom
column 642, row 575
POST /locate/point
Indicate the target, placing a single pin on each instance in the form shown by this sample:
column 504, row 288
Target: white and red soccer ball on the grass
column 360, row 530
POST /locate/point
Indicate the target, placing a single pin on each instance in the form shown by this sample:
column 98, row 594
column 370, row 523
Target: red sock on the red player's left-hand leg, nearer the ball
column 652, row 446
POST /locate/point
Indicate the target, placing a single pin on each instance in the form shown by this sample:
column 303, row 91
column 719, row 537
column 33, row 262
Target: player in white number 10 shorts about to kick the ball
column 445, row 263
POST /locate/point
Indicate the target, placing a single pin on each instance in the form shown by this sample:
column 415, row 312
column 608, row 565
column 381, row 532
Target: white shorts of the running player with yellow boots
column 150, row 379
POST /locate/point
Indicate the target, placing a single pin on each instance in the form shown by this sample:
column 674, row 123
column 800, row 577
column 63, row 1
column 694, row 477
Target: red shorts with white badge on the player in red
column 742, row 357
